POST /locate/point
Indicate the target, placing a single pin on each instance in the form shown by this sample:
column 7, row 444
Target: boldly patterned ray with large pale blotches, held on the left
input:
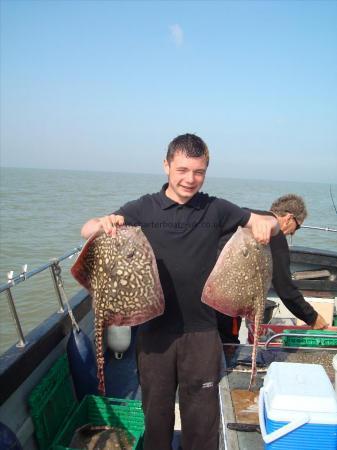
column 122, row 276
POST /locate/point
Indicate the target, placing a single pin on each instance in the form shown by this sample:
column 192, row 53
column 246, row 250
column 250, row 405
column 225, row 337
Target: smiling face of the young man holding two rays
column 185, row 176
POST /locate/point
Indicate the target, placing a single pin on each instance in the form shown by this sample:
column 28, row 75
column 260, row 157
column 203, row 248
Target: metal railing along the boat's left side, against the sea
column 55, row 271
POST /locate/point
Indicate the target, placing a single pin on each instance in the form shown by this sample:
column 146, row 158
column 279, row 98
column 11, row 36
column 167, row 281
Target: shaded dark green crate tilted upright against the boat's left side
column 51, row 403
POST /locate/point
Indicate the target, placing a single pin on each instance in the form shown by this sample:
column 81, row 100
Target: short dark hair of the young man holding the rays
column 189, row 144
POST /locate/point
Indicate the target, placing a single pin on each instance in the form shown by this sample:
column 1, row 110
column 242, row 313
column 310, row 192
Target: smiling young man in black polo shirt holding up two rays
column 182, row 347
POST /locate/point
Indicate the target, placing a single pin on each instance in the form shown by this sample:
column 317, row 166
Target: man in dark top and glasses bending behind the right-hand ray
column 290, row 212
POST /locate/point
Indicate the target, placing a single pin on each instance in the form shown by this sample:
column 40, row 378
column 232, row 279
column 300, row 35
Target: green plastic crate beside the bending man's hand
column 329, row 338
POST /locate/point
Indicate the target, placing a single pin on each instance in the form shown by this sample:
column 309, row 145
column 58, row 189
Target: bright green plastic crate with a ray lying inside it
column 121, row 413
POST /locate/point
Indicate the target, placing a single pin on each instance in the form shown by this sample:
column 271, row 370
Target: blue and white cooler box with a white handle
column 298, row 408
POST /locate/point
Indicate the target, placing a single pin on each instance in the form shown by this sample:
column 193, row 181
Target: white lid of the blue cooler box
column 299, row 387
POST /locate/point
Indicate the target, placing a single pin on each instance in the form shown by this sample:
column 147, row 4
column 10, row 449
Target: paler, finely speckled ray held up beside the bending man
column 239, row 282
